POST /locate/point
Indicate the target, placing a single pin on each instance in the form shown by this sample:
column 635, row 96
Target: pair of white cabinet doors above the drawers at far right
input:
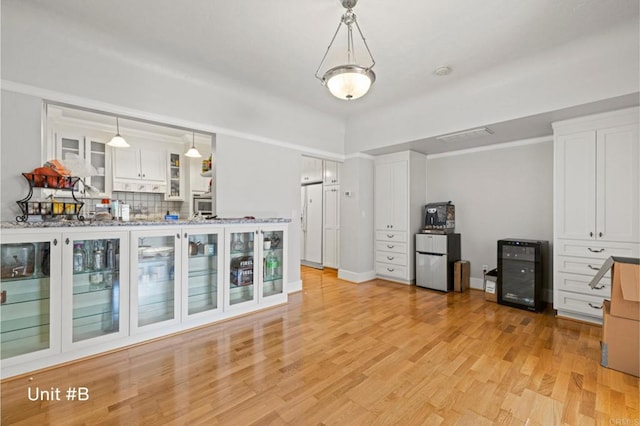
column 597, row 184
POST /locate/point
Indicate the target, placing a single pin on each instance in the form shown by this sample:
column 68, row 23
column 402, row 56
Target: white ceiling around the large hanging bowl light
column 277, row 45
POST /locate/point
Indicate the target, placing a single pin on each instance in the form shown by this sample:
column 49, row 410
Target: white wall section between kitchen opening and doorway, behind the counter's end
column 261, row 180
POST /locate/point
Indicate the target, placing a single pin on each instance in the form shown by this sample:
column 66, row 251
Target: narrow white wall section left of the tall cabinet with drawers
column 356, row 220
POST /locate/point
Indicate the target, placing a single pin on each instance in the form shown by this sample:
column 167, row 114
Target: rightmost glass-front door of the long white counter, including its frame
column 273, row 261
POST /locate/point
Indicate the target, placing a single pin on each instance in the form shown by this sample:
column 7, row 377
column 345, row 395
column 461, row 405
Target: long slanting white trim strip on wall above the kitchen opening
column 82, row 102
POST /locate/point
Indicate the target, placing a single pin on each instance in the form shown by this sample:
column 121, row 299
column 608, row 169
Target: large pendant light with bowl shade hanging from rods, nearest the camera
column 348, row 81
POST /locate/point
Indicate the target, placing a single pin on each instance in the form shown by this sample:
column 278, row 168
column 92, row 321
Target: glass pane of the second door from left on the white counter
column 96, row 288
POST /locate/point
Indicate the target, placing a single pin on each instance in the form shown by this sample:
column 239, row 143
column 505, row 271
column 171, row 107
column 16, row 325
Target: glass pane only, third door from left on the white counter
column 156, row 297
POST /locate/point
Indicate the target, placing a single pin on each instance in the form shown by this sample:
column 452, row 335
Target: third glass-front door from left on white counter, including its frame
column 155, row 272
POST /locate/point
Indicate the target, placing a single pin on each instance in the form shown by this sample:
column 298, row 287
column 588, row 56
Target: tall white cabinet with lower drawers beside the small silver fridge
column 399, row 198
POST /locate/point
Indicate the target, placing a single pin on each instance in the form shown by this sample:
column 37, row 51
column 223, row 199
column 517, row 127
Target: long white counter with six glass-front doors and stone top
column 72, row 289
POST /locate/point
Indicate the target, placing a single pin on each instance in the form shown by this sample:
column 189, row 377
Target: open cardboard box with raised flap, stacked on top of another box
column 625, row 286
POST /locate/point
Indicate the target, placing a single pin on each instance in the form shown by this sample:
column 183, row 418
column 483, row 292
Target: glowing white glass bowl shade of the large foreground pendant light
column 349, row 81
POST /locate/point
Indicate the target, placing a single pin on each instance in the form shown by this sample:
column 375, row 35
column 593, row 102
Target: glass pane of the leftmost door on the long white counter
column 25, row 286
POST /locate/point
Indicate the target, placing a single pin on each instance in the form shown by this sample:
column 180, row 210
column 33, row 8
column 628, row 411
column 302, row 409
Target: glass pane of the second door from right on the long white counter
column 241, row 268
